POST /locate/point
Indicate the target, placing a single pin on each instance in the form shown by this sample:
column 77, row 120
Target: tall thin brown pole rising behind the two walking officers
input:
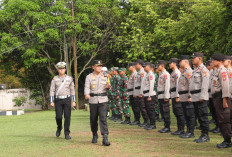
column 75, row 58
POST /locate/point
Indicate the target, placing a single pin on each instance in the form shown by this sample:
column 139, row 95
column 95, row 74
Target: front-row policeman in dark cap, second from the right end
column 199, row 86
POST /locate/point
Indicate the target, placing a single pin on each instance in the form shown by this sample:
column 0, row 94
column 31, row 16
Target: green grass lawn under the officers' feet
column 33, row 134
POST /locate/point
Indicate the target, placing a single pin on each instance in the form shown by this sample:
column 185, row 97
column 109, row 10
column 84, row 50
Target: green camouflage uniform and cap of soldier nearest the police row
column 123, row 94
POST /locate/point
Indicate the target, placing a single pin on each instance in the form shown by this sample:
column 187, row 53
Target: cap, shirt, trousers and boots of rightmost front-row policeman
column 220, row 90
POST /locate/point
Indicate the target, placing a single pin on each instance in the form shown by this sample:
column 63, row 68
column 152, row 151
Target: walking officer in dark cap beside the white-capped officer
column 96, row 87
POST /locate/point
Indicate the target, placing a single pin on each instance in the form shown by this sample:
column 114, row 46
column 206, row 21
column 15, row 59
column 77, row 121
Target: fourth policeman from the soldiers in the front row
column 164, row 95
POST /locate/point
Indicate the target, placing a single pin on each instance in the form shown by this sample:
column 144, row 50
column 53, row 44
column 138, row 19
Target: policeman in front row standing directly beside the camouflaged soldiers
column 130, row 89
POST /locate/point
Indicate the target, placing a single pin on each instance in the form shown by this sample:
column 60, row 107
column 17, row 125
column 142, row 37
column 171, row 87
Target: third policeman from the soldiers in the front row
column 149, row 95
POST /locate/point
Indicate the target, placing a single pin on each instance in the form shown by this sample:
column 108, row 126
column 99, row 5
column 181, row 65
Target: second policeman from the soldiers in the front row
column 138, row 91
